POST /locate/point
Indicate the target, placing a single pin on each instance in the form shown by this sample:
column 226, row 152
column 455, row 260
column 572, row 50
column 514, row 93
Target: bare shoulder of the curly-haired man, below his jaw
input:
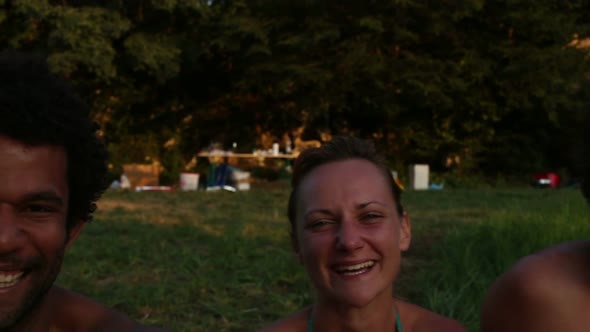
column 75, row 312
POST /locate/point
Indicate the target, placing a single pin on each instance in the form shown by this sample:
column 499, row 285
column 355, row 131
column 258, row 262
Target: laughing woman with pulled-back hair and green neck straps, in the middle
column 348, row 230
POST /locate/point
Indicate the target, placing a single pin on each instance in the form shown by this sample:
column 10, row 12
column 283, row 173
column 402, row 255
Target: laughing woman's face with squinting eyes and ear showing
column 349, row 232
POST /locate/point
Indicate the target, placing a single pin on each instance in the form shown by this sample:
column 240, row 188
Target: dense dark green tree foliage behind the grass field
column 497, row 86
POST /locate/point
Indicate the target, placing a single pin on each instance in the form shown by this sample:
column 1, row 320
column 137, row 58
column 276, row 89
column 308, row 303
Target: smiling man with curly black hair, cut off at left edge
column 52, row 171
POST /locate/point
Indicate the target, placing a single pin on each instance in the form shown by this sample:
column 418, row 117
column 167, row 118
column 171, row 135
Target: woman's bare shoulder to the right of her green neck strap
column 418, row 319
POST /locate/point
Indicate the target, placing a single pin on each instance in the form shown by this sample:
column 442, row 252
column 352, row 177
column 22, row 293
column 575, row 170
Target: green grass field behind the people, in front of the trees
column 220, row 261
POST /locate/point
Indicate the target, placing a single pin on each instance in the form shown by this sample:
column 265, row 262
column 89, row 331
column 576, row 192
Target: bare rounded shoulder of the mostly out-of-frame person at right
column 541, row 291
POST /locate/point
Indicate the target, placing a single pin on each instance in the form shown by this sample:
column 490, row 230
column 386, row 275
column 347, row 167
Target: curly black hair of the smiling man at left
column 37, row 108
